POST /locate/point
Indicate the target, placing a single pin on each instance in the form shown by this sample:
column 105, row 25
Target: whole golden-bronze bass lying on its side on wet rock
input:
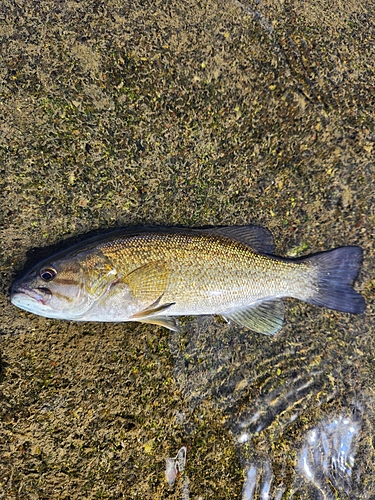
column 157, row 275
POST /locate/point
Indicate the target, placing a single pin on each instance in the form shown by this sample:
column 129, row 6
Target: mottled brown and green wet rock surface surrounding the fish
column 195, row 114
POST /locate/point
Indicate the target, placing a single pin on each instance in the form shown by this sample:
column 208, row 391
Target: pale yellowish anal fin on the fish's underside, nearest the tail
column 262, row 317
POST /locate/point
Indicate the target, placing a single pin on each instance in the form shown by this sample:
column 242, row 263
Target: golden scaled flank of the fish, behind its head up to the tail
column 232, row 271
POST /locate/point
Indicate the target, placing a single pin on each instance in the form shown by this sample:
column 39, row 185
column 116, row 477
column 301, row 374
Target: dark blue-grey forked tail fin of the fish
column 336, row 271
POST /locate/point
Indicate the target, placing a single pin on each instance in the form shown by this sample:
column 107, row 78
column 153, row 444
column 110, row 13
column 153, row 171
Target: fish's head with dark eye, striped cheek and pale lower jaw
column 58, row 288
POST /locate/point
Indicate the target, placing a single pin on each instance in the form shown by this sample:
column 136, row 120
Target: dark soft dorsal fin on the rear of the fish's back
column 257, row 238
